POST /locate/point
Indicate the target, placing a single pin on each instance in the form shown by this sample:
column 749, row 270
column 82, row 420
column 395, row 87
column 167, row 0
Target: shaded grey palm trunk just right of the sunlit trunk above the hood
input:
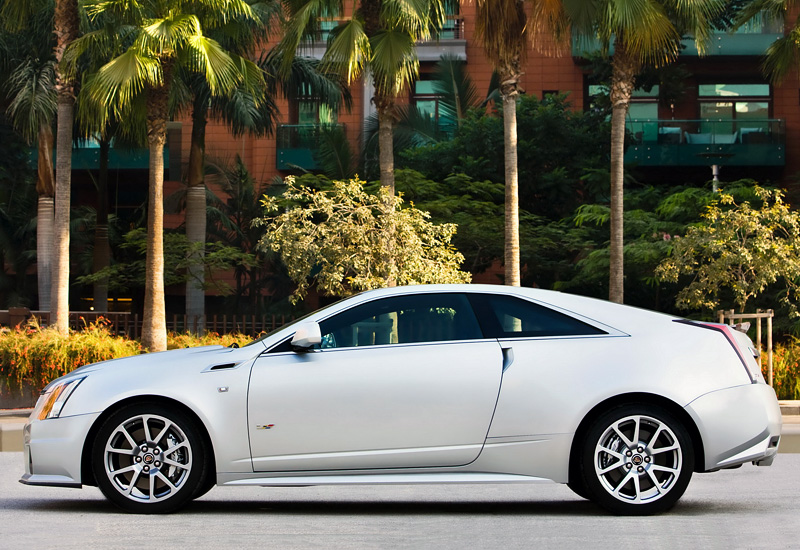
column 196, row 220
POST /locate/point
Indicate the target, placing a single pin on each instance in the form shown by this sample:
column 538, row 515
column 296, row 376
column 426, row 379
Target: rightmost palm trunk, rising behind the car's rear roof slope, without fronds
column 622, row 83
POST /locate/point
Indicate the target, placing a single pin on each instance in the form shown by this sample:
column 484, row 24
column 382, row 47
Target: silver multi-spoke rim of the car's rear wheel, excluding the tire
column 638, row 459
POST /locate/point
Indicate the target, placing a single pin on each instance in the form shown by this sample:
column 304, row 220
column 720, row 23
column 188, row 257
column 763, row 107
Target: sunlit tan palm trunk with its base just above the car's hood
column 154, row 325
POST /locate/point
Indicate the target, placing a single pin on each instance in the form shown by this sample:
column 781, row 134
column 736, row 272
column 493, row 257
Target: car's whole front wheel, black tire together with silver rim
column 165, row 468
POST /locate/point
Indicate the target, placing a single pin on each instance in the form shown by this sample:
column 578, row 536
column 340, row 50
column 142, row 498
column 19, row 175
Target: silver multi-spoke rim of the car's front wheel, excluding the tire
column 148, row 458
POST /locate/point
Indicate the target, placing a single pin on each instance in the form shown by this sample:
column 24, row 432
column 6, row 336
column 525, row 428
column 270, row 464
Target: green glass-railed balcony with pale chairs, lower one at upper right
column 746, row 142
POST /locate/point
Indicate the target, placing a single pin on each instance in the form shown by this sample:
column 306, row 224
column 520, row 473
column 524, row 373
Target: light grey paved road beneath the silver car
column 745, row 508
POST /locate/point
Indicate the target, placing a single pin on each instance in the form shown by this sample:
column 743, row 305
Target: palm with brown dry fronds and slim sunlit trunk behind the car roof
column 503, row 28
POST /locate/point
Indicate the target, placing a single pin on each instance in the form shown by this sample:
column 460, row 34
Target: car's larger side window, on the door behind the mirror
column 402, row 320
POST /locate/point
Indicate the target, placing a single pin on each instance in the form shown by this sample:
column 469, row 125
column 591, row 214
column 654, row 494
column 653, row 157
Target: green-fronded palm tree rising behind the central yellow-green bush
column 377, row 39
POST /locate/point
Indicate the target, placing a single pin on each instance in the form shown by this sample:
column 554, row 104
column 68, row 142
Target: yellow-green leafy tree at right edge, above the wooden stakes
column 738, row 247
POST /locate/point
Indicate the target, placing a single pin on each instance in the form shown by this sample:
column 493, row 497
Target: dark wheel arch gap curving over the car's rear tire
column 634, row 399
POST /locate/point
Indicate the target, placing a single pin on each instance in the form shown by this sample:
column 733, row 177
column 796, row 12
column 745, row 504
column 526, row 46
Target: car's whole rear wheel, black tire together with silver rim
column 630, row 474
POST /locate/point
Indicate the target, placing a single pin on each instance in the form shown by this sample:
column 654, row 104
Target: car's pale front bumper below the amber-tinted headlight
column 53, row 450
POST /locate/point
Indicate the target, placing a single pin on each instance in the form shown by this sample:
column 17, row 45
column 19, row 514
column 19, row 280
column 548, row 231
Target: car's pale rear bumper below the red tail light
column 738, row 425
